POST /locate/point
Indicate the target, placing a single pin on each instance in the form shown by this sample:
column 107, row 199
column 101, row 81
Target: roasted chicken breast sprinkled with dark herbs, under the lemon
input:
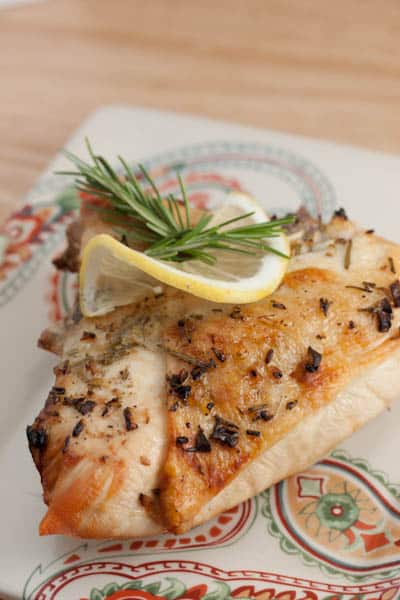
column 170, row 411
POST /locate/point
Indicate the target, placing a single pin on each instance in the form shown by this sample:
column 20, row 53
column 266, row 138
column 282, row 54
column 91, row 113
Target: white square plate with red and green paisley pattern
column 276, row 545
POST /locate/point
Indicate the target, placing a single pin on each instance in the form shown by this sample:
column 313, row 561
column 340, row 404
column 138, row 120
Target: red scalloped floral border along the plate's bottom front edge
column 173, row 580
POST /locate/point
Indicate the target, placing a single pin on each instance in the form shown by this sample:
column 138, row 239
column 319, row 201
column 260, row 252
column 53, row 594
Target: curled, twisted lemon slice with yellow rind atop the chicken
column 113, row 274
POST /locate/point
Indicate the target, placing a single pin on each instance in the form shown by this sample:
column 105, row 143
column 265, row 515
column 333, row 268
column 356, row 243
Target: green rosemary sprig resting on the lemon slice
column 166, row 230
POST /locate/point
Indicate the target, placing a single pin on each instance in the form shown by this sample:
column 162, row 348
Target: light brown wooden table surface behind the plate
column 315, row 67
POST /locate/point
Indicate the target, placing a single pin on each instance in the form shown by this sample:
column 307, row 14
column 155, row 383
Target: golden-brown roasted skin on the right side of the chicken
column 242, row 405
